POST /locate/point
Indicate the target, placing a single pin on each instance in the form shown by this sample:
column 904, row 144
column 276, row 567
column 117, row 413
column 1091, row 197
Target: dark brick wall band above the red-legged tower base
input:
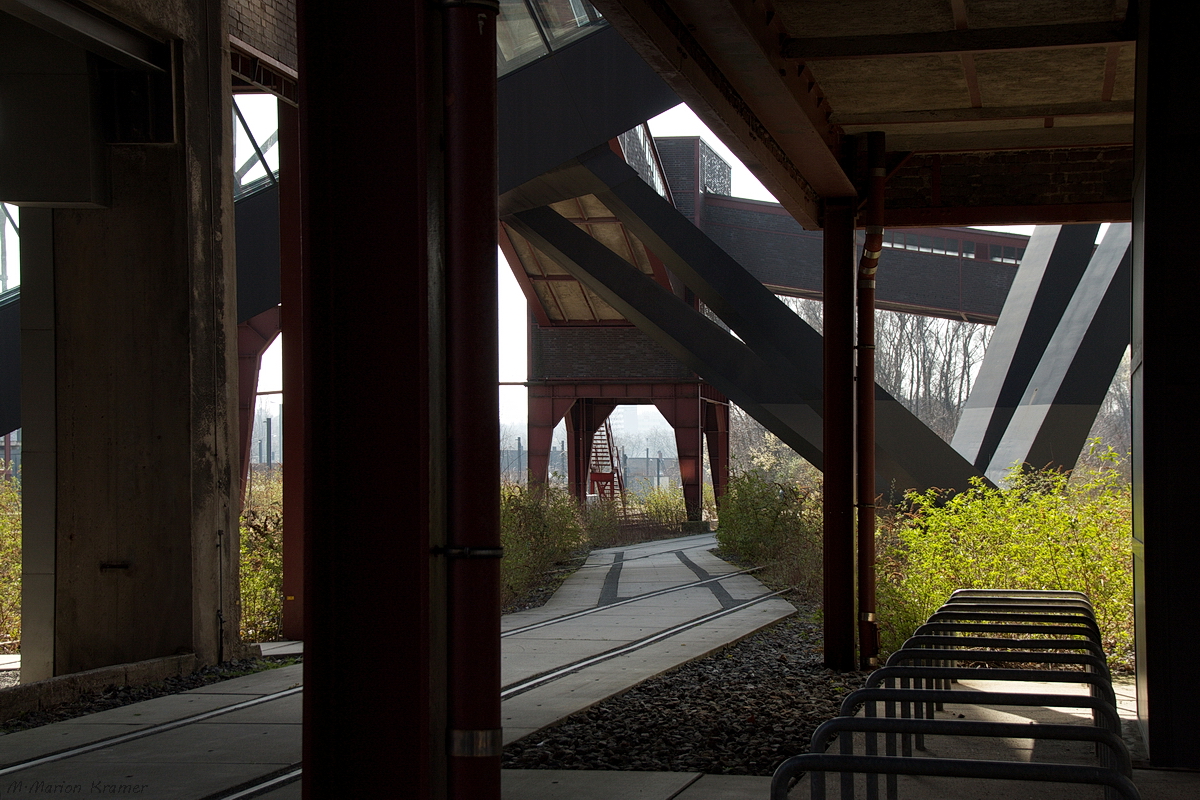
column 601, row 353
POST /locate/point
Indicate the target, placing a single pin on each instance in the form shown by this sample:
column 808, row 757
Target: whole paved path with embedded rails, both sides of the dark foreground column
column 675, row 598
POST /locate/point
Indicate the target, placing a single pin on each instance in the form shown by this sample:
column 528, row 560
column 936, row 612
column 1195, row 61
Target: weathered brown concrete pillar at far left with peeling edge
column 135, row 510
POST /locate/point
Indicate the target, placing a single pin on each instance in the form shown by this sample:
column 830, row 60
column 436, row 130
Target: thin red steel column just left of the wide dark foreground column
column 292, row 322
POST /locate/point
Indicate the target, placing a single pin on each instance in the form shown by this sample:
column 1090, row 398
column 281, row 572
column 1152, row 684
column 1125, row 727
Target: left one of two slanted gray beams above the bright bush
column 1054, row 264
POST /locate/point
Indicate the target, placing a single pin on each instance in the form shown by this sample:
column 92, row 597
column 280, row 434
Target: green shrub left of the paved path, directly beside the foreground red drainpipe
column 541, row 526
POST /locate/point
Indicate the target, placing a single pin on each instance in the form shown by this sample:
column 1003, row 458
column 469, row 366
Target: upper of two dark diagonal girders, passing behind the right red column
column 910, row 452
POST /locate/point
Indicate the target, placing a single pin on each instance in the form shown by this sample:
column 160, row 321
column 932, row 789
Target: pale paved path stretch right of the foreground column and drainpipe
column 607, row 580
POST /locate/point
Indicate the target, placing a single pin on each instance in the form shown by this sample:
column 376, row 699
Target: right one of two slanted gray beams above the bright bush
column 1052, row 424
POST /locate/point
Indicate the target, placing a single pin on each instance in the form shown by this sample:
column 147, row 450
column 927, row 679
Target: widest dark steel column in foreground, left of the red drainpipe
column 371, row 165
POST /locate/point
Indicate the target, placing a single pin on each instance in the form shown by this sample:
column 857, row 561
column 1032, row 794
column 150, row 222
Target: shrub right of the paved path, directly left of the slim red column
column 777, row 526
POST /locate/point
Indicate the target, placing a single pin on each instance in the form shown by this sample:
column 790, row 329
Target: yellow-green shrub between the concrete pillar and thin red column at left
column 262, row 560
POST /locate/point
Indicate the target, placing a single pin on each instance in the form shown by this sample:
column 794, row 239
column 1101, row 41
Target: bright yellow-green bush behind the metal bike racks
column 1041, row 531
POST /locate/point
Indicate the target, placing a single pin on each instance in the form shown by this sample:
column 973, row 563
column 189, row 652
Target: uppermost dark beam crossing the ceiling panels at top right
column 985, row 40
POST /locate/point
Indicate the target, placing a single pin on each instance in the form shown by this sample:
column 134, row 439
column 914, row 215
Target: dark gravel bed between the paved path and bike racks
column 739, row 712
